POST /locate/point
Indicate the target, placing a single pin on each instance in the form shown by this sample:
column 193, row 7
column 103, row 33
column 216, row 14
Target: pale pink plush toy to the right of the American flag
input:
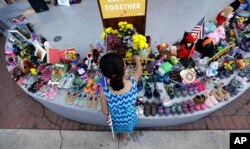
column 218, row 34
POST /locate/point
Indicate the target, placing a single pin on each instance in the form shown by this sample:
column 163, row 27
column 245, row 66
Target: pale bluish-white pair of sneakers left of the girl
column 66, row 81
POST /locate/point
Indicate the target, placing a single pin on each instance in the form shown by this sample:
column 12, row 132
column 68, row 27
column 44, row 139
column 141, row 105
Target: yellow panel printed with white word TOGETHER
column 122, row 8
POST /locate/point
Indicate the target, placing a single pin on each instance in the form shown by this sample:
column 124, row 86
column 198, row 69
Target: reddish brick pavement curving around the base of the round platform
column 18, row 110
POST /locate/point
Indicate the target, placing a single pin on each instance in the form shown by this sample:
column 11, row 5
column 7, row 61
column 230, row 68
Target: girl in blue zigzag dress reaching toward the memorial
column 119, row 98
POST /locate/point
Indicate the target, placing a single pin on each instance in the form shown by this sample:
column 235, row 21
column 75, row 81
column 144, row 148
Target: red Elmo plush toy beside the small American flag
column 187, row 45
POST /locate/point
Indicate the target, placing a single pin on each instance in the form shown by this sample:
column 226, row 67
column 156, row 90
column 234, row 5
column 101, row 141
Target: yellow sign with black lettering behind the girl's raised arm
column 130, row 65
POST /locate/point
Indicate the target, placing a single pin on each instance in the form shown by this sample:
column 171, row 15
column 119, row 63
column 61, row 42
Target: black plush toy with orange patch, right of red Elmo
column 207, row 47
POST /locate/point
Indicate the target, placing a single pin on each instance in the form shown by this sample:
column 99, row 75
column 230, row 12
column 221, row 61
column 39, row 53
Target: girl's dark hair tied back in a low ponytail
column 112, row 67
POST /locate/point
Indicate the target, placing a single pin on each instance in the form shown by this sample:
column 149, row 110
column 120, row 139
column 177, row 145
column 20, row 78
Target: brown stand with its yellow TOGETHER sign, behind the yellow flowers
column 132, row 11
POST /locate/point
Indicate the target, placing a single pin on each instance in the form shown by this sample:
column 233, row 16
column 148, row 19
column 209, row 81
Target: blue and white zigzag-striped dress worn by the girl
column 122, row 108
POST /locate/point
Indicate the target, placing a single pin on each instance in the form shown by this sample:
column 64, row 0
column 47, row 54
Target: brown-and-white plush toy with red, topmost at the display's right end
column 225, row 15
